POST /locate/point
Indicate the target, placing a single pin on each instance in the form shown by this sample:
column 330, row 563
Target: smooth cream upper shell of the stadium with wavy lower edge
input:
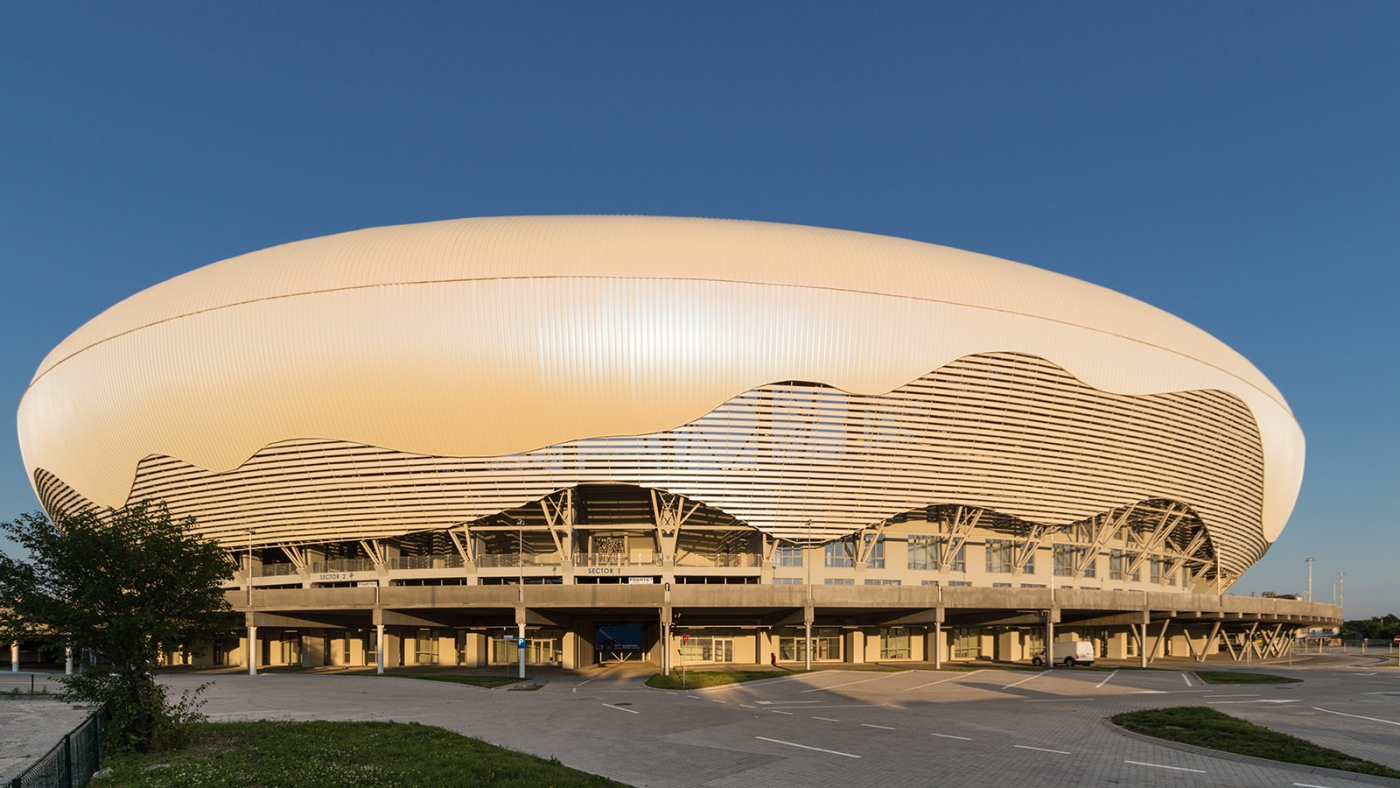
column 498, row 337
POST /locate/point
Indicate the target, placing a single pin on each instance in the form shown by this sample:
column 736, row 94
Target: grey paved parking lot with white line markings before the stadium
column 846, row 729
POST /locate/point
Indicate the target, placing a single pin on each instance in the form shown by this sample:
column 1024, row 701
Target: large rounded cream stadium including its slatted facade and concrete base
column 677, row 439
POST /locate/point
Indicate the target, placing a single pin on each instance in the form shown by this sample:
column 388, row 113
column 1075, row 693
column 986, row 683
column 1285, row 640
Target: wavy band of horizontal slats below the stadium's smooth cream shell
column 1006, row 432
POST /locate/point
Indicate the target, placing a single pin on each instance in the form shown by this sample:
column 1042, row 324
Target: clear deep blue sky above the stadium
column 1237, row 164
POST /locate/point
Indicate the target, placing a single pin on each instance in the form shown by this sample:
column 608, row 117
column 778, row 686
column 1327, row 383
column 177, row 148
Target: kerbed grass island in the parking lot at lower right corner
column 1209, row 729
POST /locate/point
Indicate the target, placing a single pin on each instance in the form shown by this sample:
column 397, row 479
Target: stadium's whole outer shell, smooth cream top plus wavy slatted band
column 806, row 383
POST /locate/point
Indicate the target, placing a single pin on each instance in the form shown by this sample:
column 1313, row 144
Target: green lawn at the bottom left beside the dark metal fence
column 338, row 755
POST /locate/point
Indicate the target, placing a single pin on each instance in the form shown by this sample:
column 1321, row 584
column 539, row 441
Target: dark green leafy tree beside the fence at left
column 125, row 584
